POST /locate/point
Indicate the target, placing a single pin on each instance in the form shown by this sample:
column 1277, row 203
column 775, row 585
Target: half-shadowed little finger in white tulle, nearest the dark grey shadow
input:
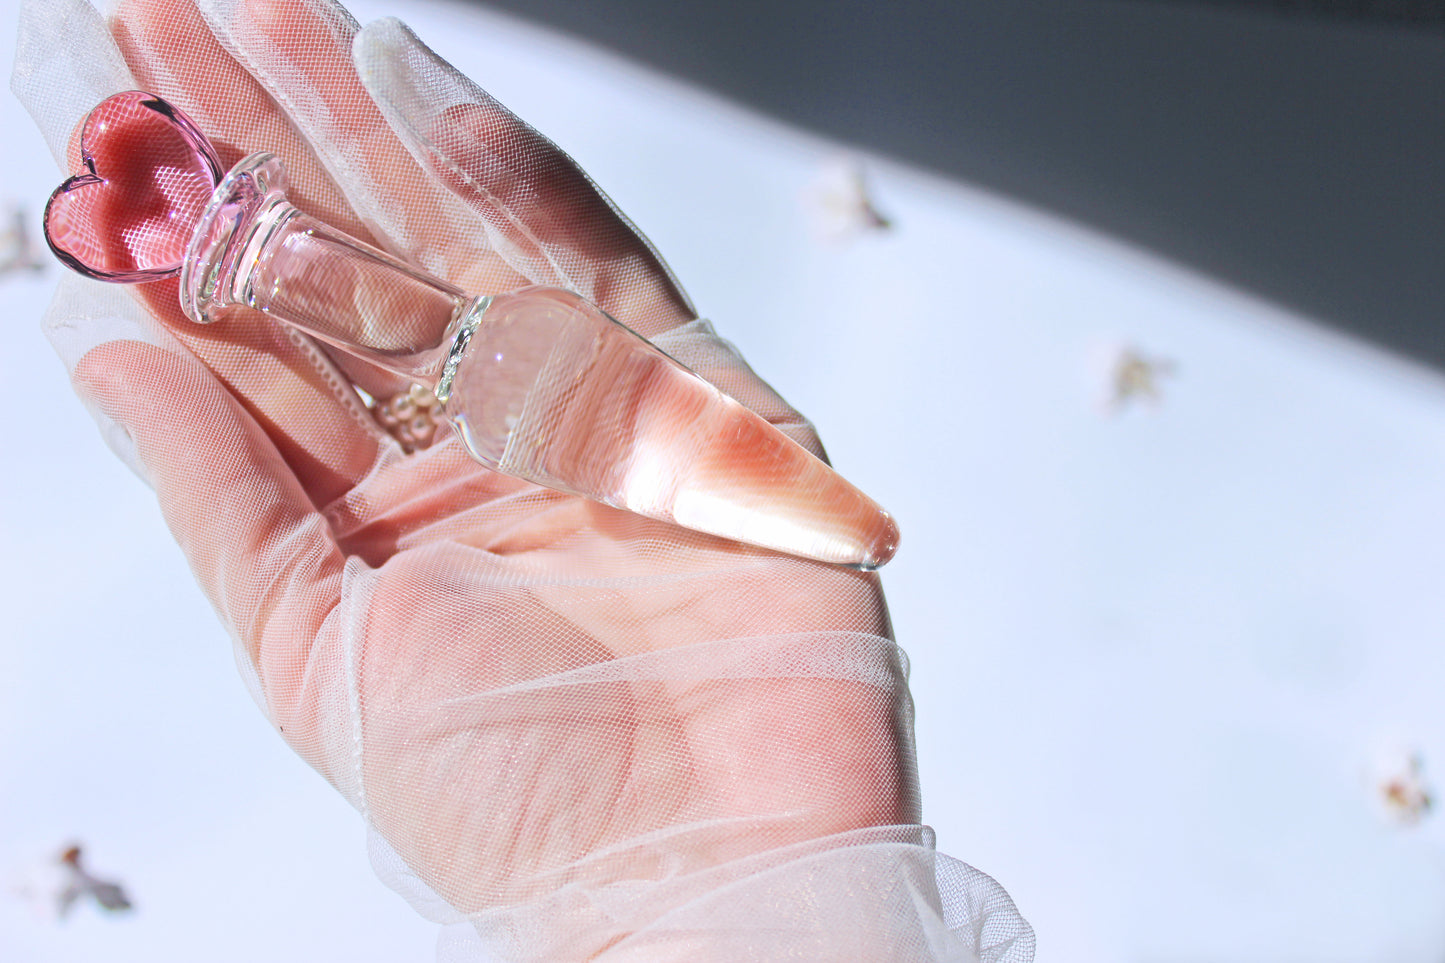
column 541, row 210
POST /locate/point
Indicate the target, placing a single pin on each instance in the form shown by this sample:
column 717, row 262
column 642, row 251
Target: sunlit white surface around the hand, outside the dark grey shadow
column 1157, row 656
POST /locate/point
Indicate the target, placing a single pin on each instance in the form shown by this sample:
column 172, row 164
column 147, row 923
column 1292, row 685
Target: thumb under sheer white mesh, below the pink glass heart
column 262, row 555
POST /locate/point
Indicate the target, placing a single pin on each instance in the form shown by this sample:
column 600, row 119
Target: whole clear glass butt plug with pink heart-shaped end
column 538, row 384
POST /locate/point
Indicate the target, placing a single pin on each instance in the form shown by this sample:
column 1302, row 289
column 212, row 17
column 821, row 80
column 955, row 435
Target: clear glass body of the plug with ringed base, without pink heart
column 540, row 384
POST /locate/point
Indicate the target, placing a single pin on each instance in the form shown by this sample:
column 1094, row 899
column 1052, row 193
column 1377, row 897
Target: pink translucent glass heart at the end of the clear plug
column 131, row 215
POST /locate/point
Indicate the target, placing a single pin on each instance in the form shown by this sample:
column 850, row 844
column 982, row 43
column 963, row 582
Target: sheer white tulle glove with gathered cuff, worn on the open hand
column 573, row 734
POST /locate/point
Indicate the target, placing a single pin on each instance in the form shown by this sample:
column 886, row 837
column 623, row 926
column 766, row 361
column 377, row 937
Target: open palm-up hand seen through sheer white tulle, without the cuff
column 528, row 696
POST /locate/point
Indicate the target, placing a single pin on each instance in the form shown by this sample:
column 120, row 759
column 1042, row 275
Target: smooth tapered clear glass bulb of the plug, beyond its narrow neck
column 553, row 390
